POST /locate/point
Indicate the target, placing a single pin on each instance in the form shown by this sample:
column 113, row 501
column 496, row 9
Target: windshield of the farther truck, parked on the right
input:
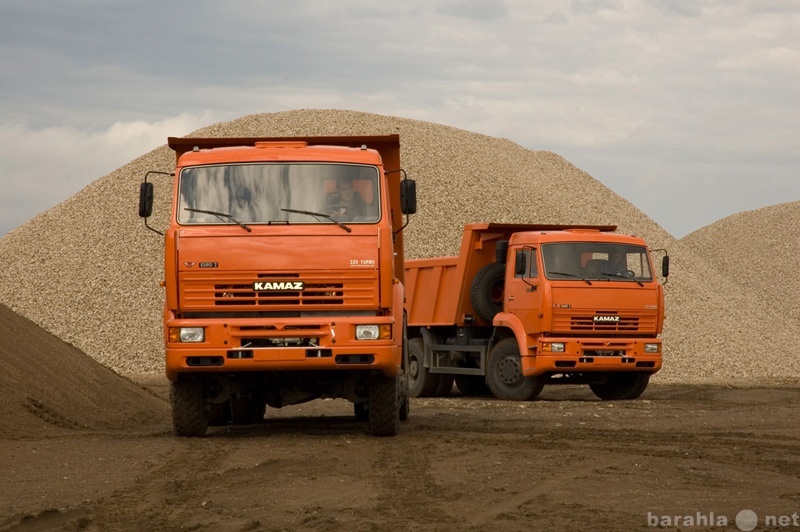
column 578, row 261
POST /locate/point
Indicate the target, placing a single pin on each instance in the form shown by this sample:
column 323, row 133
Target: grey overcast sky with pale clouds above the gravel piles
column 688, row 109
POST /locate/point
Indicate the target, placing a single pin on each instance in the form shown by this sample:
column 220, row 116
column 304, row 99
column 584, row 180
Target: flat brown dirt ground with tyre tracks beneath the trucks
column 679, row 457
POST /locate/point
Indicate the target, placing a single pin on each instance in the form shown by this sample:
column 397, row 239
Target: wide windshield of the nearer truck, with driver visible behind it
column 266, row 193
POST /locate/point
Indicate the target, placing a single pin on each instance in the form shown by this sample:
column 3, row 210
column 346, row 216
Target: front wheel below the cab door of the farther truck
column 504, row 374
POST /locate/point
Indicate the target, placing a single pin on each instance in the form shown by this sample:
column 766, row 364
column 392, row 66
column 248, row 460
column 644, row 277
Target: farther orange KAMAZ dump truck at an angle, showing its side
column 527, row 305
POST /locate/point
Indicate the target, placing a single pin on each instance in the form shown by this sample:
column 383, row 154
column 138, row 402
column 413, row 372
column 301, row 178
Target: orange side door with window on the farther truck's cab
column 524, row 288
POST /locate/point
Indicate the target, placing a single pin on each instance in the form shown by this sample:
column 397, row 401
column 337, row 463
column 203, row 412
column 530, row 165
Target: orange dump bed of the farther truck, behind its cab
column 438, row 289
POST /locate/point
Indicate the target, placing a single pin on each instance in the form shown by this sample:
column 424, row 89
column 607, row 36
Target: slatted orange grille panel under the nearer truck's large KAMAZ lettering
column 320, row 290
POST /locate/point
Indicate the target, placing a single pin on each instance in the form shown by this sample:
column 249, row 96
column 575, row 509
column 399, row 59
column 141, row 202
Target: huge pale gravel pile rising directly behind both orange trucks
column 87, row 270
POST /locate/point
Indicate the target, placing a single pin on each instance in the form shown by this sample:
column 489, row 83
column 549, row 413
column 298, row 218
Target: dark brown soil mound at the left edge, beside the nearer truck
column 48, row 386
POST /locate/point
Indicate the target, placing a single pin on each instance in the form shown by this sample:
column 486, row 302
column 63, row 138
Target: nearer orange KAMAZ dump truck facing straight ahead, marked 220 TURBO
column 284, row 277
